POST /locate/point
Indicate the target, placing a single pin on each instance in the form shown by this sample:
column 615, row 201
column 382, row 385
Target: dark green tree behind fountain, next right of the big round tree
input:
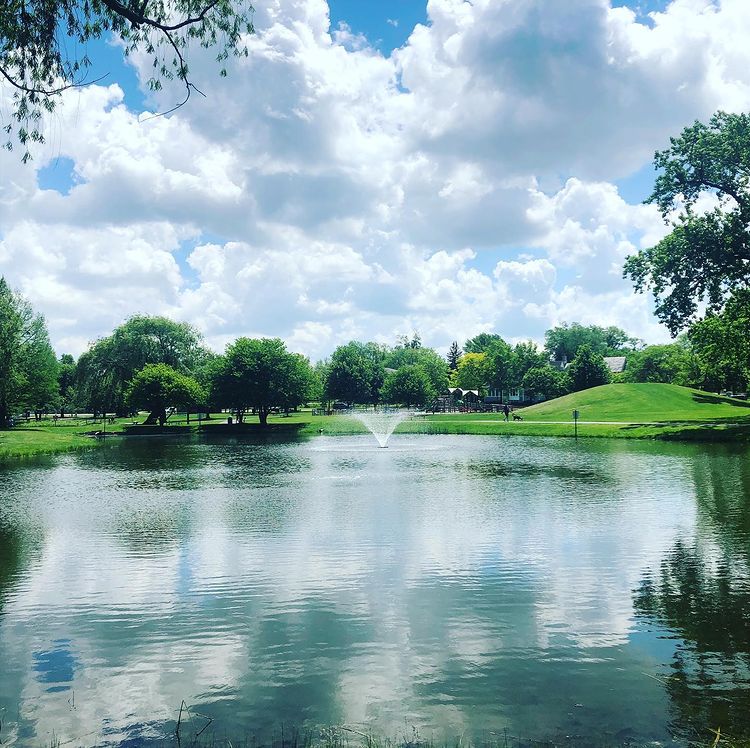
column 356, row 373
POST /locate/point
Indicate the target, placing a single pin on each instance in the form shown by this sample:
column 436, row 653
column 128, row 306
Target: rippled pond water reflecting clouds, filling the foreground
column 482, row 587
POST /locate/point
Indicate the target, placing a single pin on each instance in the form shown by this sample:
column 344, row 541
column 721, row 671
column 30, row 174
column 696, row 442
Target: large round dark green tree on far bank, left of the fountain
column 260, row 374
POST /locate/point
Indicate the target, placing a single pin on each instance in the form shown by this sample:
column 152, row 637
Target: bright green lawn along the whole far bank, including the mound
column 634, row 411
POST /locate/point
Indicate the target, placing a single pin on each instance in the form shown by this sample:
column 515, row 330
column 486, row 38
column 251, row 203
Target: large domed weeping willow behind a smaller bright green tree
column 105, row 370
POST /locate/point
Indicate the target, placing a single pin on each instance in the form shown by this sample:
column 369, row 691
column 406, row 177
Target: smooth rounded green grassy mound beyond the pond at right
column 640, row 403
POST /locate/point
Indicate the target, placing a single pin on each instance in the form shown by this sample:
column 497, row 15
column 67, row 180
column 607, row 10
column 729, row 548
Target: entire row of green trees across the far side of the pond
column 156, row 364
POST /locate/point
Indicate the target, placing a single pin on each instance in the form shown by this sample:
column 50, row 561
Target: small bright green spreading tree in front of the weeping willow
column 157, row 387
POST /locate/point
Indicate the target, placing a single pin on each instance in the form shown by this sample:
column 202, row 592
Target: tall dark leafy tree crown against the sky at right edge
column 707, row 254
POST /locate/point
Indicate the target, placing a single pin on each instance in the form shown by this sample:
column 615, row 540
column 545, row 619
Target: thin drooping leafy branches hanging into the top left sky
column 41, row 43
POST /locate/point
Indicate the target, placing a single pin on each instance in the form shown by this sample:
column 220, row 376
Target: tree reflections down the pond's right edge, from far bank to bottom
column 701, row 594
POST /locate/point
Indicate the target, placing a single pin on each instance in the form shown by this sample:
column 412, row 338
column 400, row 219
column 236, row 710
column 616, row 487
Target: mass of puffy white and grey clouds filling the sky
column 324, row 190
